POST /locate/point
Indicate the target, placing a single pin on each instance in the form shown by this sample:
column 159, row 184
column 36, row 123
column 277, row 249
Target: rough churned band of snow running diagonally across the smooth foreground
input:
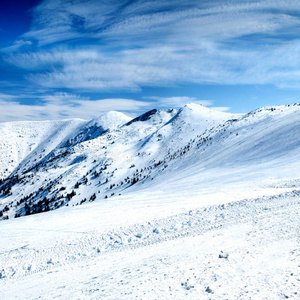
column 25, row 261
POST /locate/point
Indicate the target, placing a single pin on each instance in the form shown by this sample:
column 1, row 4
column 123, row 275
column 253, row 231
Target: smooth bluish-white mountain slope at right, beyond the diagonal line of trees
column 255, row 148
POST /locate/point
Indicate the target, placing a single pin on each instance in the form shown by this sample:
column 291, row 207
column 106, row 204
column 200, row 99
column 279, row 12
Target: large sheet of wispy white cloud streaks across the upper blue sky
column 96, row 46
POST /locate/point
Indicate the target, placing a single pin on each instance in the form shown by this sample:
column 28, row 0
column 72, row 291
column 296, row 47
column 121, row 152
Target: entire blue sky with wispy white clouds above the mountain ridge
column 80, row 58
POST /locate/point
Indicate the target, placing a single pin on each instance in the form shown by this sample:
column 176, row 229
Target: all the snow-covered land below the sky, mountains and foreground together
column 190, row 203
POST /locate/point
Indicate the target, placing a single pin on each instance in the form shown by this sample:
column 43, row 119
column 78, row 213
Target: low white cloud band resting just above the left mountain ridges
column 68, row 106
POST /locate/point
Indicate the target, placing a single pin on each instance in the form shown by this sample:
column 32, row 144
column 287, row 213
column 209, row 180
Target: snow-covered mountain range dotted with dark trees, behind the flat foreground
column 187, row 152
